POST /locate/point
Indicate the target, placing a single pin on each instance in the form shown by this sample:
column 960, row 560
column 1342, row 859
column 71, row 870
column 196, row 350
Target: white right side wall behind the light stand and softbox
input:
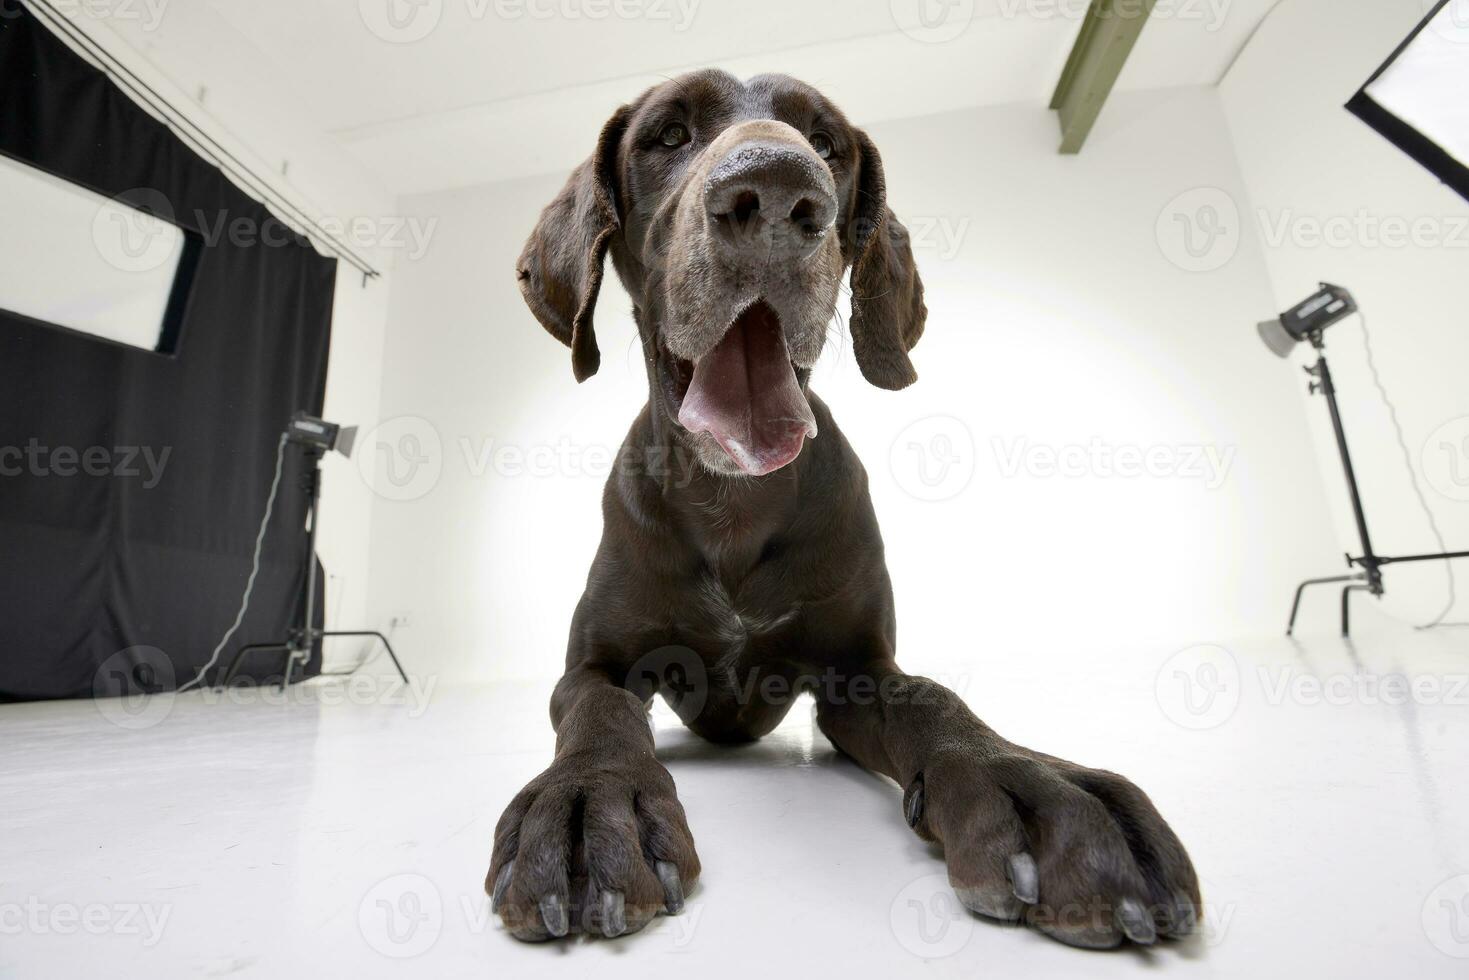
column 1311, row 165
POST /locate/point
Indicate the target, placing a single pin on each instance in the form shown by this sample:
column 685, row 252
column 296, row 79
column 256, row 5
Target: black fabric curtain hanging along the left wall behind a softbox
column 101, row 562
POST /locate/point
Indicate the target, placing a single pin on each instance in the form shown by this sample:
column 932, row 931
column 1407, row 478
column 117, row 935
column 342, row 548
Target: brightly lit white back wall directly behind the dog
column 1060, row 315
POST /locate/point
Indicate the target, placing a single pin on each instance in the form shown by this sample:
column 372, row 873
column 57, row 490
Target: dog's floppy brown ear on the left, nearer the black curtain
column 560, row 270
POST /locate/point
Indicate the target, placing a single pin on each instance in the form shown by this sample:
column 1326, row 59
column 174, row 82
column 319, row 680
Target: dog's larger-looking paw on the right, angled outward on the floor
column 1080, row 854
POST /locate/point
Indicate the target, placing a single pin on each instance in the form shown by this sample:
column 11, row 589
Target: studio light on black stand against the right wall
column 1310, row 323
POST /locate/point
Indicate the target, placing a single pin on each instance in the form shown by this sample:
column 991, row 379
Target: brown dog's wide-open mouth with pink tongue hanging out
column 746, row 394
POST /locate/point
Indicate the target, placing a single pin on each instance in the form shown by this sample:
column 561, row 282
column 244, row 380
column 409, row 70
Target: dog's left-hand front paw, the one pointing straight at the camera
column 591, row 846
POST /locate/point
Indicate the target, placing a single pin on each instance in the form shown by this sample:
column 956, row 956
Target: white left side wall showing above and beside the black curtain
column 227, row 87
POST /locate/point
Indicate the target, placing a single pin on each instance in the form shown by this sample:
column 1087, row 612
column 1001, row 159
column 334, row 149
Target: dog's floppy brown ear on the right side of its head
column 888, row 308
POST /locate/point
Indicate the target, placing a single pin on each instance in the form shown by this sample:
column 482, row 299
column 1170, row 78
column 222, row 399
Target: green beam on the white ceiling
column 1108, row 35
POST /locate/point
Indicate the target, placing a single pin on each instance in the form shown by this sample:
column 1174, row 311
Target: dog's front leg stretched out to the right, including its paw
column 1080, row 854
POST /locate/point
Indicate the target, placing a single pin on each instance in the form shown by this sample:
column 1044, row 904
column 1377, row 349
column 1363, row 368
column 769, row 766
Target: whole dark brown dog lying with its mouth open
column 741, row 566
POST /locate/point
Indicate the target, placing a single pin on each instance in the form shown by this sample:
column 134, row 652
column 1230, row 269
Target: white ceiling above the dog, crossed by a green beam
column 506, row 89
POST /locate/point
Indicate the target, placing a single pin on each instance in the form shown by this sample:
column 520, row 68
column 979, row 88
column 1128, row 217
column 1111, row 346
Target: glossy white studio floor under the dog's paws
column 347, row 834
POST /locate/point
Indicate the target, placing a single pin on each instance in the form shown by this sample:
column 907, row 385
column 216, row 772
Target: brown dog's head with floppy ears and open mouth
column 732, row 211
